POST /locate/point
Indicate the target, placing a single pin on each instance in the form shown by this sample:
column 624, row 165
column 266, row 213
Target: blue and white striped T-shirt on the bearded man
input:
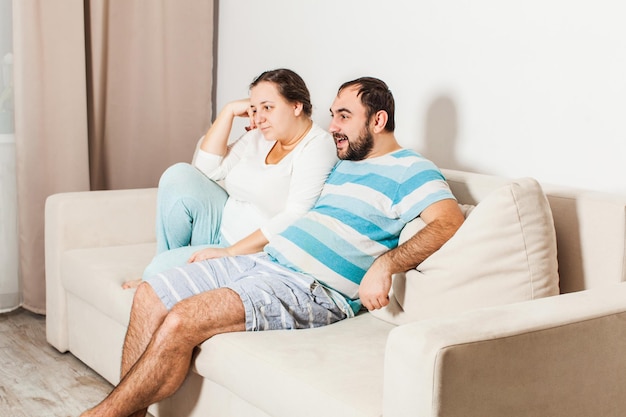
column 359, row 216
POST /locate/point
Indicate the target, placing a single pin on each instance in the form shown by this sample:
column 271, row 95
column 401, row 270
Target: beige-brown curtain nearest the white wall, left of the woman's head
column 151, row 87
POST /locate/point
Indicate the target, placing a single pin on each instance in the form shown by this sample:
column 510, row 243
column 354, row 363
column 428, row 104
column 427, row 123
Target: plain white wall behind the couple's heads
column 527, row 88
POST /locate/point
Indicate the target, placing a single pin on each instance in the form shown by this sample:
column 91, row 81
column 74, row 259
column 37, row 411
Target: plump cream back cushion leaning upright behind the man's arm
column 504, row 252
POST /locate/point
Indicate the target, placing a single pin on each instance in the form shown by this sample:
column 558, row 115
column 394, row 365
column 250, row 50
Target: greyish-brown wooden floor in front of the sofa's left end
column 37, row 380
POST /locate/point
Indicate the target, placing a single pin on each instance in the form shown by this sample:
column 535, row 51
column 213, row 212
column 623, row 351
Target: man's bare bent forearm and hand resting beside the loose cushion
column 442, row 219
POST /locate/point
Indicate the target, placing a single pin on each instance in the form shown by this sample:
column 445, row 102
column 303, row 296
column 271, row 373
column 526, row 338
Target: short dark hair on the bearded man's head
column 375, row 96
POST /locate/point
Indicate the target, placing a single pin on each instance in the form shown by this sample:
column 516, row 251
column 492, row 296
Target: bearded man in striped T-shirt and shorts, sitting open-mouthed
column 336, row 259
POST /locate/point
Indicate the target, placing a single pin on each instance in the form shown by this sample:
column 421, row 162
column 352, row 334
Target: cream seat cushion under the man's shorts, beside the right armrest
column 332, row 370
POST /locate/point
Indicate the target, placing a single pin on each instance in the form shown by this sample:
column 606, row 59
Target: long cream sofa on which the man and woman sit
column 562, row 355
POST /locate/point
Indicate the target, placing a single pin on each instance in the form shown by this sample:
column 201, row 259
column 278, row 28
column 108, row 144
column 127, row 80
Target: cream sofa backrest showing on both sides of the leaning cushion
column 590, row 228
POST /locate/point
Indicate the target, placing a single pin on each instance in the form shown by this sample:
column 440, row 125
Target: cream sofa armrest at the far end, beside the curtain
column 89, row 219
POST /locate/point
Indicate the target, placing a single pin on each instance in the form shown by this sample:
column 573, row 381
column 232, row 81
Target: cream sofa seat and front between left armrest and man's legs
column 98, row 308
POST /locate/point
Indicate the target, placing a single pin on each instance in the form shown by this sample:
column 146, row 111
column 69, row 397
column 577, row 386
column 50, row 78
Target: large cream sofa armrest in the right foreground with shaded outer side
column 558, row 356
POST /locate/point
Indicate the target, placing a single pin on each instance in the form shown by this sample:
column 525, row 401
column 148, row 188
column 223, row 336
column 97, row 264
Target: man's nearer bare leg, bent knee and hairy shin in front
column 163, row 366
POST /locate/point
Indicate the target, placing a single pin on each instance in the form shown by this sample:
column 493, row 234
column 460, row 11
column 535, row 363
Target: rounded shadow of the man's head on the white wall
column 441, row 134
